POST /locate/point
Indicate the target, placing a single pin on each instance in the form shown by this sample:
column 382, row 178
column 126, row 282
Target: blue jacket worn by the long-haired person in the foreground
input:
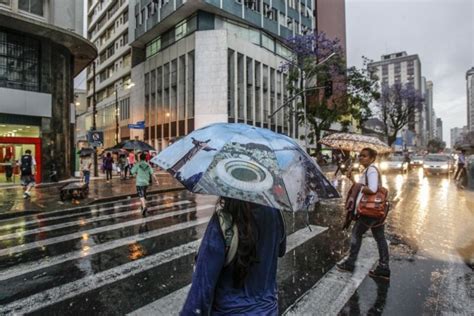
column 212, row 290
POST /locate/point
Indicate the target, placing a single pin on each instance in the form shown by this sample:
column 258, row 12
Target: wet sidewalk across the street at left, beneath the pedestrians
column 46, row 197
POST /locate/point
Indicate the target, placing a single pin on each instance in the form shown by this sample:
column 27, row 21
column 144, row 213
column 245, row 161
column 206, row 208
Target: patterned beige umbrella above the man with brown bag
column 355, row 142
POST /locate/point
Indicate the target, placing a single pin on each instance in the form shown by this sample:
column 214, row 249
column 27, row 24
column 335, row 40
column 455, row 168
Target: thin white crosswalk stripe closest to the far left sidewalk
column 77, row 212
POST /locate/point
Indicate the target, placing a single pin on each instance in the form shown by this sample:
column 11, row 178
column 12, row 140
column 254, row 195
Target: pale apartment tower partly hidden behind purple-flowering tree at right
column 405, row 69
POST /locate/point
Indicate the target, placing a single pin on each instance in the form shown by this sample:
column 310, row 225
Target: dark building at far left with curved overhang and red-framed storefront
column 40, row 54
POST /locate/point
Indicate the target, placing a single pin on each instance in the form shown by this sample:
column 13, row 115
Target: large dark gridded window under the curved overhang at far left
column 19, row 62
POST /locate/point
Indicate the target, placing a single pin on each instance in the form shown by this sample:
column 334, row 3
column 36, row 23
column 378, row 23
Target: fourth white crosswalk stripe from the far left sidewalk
column 48, row 262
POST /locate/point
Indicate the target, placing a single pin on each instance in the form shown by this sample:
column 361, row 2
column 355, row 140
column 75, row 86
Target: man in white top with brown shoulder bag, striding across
column 369, row 208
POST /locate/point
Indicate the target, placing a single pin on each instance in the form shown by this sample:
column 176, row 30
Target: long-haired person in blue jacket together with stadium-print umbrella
column 256, row 173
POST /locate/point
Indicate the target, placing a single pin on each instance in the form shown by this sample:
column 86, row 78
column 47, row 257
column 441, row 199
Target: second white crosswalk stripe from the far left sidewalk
column 87, row 221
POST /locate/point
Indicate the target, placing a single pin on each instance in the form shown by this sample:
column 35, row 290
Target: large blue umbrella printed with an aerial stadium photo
column 246, row 163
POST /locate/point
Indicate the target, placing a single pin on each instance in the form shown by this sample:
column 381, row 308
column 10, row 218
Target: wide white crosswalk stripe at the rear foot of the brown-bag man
column 329, row 295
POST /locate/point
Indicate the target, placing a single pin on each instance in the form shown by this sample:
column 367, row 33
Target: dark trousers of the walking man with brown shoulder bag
column 360, row 227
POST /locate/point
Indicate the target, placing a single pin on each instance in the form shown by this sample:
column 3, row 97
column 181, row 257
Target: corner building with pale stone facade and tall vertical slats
column 202, row 61
